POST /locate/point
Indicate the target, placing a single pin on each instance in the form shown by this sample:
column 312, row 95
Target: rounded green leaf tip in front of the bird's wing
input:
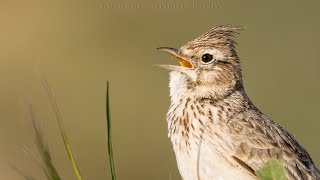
column 272, row 170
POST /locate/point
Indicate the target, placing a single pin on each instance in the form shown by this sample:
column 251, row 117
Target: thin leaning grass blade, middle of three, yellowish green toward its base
column 62, row 131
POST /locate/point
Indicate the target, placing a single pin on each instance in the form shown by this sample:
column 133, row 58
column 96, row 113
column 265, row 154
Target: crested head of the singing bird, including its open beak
column 207, row 63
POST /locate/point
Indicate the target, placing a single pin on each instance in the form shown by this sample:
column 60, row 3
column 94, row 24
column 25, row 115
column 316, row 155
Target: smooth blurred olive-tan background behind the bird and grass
column 79, row 45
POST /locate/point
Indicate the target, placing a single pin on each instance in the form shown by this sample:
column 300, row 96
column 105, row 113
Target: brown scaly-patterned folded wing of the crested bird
column 259, row 139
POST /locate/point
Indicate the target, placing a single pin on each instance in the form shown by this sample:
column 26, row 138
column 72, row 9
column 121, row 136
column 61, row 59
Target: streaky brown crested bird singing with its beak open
column 217, row 133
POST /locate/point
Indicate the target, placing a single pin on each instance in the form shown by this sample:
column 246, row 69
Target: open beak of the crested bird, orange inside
column 184, row 64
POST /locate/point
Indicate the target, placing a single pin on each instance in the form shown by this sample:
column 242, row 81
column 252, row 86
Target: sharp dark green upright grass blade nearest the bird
column 110, row 150
